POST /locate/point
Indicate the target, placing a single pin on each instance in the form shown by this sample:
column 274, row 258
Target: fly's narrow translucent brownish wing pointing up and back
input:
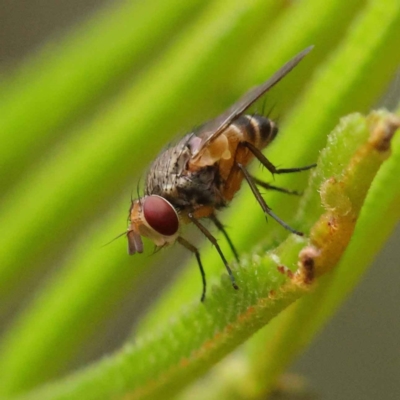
column 212, row 129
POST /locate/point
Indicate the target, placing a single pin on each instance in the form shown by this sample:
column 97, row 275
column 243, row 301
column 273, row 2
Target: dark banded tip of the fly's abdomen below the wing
column 255, row 129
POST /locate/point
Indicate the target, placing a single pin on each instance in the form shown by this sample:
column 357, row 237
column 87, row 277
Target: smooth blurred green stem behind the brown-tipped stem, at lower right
column 274, row 348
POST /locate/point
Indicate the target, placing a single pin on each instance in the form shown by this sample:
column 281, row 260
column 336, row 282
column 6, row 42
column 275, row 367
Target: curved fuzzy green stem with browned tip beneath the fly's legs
column 159, row 365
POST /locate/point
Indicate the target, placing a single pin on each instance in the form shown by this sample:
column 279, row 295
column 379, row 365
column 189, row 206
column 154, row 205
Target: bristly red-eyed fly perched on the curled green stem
column 200, row 175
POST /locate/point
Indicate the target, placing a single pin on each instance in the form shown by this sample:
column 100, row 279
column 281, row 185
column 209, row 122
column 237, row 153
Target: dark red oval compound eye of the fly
column 160, row 215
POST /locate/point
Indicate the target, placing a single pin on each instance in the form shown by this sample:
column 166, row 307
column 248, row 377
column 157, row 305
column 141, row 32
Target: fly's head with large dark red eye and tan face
column 153, row 217
